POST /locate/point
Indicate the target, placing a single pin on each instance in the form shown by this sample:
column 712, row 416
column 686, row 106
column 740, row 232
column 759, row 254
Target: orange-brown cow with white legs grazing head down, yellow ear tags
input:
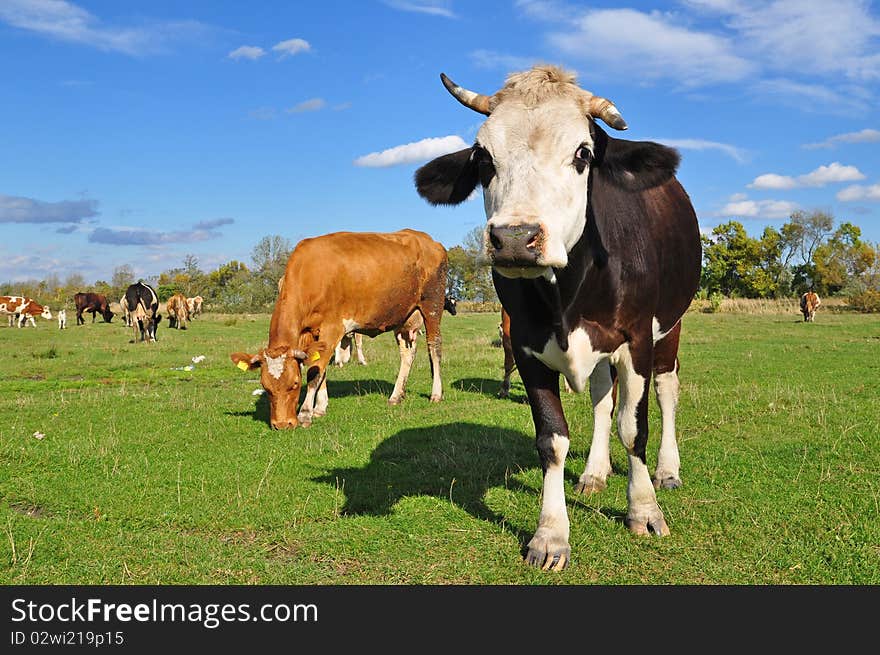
column 362, row 282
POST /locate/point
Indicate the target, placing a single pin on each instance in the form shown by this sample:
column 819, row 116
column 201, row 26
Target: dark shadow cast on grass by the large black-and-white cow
column 455, row 462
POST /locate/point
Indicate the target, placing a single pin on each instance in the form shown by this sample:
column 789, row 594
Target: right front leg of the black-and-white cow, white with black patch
column 633, row 365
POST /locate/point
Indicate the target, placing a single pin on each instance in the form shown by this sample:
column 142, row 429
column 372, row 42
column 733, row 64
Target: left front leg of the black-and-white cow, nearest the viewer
column 549, row 547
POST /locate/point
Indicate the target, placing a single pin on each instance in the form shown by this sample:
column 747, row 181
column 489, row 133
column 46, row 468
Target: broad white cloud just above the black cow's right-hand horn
column 651, row 46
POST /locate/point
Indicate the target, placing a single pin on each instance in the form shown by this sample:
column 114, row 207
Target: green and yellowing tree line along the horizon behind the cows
column 807, row 253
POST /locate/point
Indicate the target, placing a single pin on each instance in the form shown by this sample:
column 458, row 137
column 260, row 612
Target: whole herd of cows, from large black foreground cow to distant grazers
column 595, row 254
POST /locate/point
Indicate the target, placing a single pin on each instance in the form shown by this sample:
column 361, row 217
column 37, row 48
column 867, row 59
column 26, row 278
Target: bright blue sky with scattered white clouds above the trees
column 139, row 132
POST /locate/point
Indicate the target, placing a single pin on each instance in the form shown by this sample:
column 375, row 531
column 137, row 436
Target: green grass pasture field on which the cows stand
column 143, row 473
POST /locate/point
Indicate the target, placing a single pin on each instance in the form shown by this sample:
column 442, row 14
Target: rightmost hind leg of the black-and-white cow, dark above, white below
column 666, row 388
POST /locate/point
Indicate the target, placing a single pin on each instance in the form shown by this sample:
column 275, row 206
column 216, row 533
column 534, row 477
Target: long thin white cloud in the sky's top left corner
column 65, row 21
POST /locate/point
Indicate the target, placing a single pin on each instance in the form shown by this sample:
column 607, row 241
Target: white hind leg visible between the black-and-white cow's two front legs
column 602, row 386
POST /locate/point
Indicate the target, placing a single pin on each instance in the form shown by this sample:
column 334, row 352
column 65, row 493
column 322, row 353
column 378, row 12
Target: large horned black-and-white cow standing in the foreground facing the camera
column 595, row 254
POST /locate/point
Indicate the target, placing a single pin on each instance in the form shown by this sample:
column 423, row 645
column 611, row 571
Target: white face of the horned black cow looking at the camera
column 534, row 167
